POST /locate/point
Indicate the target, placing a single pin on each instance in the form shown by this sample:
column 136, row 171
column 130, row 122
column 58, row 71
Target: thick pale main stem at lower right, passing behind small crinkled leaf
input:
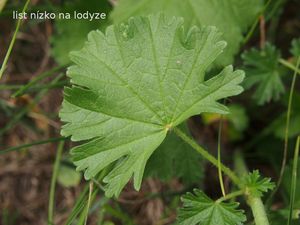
column 255, row 203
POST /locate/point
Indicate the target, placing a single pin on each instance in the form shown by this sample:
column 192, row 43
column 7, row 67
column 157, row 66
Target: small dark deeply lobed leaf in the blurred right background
column 262, row 71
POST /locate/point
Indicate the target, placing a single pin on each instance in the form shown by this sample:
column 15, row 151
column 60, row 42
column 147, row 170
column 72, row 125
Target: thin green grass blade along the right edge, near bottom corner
column 294, row 180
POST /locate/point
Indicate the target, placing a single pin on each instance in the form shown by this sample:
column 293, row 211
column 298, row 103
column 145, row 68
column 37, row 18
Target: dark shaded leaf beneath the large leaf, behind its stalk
column 175, row 158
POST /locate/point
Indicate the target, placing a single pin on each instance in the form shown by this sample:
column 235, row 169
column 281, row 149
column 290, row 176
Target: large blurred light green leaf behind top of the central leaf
column 231, row 17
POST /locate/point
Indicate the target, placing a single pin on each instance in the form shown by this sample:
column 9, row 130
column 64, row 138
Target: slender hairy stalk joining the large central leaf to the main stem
column 207, row 156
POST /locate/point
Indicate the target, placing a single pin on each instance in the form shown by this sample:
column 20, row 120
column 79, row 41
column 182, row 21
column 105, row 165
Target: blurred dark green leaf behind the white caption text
column 70, row 34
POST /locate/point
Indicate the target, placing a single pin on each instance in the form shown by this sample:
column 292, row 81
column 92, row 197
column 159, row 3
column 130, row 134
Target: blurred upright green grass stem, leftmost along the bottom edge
column 53, row 182
